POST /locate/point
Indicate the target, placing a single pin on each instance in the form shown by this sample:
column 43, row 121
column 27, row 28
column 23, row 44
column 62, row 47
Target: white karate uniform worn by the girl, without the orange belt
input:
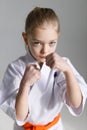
column 46, row 97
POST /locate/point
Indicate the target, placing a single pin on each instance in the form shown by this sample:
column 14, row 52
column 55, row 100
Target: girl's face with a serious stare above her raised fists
column 42, row 42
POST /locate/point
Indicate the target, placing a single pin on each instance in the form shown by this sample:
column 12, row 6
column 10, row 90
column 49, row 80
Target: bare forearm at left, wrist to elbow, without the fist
column 21, row 104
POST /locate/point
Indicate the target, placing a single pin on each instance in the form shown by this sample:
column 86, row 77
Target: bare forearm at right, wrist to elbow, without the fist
column 73, row 89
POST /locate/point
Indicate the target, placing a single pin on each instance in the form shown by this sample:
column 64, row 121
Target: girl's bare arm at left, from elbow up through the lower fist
column 31, row 75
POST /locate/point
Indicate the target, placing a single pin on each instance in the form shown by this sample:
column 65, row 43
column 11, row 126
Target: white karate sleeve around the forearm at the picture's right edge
column 83, row 87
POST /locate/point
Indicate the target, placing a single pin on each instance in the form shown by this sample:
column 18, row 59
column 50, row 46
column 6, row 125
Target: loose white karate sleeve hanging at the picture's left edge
column 9, row 89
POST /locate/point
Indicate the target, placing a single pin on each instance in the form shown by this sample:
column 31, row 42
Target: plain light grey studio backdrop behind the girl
column 72, row 43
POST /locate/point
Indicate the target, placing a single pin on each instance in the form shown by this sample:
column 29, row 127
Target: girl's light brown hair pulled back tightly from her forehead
column 38, row 16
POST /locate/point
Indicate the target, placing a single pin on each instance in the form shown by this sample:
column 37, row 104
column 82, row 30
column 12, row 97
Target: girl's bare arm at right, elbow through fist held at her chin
column 73, row 94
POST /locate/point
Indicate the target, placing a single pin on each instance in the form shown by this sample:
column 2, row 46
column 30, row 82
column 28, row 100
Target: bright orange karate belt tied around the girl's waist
column 29, row 126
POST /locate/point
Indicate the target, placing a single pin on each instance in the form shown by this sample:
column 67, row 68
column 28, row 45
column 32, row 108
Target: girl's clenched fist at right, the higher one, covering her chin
column 55, row 61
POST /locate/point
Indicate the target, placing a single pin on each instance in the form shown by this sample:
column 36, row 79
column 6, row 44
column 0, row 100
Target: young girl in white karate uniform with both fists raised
column 36, row 86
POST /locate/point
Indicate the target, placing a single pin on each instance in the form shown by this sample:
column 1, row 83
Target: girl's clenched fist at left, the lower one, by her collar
column 31, row 75
